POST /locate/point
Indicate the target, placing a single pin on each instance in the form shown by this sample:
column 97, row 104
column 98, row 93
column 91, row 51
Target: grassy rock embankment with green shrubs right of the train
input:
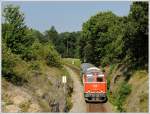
column 129, row 89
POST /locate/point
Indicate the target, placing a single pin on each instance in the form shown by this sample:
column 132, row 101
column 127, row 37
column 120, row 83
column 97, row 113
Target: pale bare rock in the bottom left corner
column 17, row 99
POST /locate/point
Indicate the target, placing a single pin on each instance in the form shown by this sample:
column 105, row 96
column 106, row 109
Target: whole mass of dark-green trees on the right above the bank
column 108, row 38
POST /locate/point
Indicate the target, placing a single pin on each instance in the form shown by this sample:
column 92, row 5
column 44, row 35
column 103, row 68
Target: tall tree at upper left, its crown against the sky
column 15, row 31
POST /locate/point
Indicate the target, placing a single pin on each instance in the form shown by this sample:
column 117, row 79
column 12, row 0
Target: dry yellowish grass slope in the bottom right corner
column 139, row 95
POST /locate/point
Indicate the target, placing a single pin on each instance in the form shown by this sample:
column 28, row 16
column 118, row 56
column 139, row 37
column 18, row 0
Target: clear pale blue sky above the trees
column 66, row 16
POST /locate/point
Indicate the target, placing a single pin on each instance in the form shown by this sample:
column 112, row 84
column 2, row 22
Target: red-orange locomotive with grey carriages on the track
column 94, row 82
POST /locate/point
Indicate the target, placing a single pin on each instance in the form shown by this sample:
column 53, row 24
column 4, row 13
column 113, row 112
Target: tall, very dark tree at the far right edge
column 136, row 35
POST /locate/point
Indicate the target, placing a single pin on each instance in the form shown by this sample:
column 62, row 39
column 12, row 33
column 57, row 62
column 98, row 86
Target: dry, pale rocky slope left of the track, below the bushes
column 36, row 96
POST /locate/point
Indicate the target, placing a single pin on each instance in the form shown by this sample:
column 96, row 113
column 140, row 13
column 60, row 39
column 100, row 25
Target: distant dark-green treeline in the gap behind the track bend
column 66, row 43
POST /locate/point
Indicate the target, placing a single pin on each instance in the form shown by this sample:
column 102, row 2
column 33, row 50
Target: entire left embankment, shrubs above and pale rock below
column 35, row 85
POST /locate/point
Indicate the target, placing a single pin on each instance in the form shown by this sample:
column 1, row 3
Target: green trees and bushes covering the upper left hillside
column 23, row 47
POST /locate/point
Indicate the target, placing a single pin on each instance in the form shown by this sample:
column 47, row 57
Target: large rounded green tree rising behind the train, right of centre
column 100, row 33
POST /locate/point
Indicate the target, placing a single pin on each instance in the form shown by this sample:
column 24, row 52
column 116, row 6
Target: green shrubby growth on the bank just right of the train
column 120, row 90
